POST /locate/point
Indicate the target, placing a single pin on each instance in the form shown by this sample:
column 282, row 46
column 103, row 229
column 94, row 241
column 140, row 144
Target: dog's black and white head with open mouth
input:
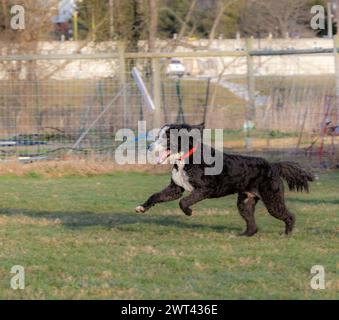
column 176, row 140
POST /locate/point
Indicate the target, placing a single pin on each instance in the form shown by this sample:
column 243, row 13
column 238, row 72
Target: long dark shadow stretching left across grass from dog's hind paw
column 84, row 219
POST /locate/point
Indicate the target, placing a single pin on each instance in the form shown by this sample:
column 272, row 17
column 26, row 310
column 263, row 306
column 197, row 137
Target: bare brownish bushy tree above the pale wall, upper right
column 261, row 17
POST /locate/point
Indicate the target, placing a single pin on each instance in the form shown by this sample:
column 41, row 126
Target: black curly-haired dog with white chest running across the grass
column 252, row 178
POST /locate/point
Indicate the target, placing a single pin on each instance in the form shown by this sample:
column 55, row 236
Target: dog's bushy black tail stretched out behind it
column 296, row 177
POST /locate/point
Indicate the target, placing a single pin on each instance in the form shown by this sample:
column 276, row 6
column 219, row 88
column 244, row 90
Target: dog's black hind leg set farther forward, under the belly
column 246, row 206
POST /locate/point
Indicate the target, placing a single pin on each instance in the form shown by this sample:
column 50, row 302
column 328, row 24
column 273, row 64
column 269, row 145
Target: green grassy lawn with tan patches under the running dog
column 78, row 237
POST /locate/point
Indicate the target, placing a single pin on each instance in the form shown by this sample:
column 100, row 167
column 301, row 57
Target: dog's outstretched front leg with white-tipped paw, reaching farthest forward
column 170, row 193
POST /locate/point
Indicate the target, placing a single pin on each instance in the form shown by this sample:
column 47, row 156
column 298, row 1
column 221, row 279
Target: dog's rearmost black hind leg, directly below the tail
column 272, row 195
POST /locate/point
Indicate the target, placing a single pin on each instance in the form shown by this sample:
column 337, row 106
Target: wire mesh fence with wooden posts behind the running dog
column 48, row 110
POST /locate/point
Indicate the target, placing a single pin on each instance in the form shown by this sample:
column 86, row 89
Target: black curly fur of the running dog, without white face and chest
column 252, row 178
